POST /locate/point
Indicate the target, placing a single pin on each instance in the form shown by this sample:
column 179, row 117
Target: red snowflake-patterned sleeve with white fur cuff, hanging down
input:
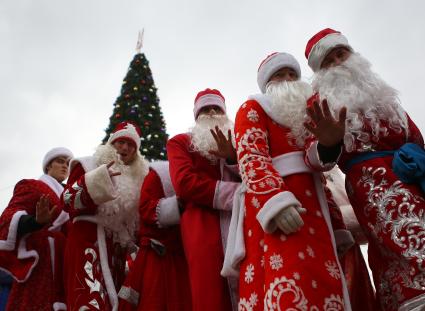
column 271, row 195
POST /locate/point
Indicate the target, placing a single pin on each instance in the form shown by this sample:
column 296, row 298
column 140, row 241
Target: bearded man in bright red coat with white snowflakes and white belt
column 291, row 257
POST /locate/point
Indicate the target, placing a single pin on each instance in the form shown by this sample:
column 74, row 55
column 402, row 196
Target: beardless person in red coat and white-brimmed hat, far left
column 31, row 240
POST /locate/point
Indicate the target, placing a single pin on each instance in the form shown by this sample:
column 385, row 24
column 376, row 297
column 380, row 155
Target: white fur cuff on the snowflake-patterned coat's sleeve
column 272, row 207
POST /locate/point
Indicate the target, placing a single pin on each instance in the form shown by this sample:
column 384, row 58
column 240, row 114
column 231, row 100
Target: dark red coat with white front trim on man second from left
column 94, row 265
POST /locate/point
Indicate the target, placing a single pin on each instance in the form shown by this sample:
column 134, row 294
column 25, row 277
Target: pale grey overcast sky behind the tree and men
column 62, row 62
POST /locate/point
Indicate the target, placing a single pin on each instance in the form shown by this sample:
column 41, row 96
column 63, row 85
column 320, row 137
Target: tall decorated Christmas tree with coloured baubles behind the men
column 139, row 103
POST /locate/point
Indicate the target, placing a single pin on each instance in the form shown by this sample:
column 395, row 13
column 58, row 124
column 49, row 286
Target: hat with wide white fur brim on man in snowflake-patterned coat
column 273, row 63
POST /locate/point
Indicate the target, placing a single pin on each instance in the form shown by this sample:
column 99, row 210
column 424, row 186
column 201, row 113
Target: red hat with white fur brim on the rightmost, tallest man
column 321, row 44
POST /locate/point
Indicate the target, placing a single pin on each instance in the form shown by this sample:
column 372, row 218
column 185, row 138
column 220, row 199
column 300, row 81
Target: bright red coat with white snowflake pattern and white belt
column 280, row 272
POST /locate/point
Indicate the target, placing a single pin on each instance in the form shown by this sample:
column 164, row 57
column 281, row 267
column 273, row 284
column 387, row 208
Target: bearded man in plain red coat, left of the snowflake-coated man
column 203, row 175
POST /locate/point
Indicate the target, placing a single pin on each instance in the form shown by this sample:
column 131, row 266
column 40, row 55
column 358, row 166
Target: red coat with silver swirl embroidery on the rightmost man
column 391, row 215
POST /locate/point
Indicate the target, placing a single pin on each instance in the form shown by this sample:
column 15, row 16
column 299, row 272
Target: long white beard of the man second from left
column 120, row 217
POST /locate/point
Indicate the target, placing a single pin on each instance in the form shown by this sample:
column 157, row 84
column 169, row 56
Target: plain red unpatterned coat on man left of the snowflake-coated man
column 197, row 183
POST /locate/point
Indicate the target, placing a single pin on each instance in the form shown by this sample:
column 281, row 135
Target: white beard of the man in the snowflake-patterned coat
column 288, row 106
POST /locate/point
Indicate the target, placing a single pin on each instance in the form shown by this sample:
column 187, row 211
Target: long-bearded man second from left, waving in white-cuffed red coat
column 102, row 196
